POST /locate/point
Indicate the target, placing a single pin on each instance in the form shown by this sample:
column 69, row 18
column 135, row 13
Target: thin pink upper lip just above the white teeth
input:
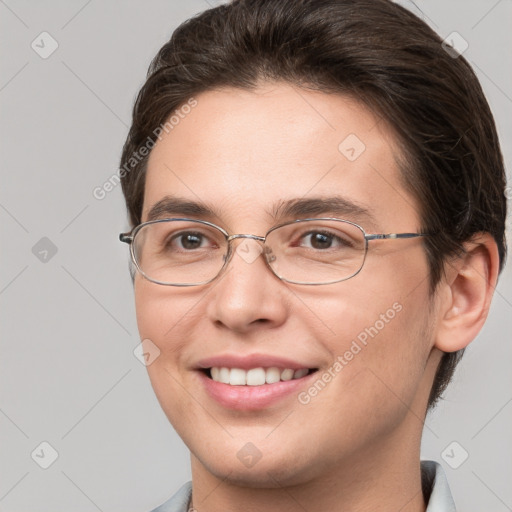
column 249, row 361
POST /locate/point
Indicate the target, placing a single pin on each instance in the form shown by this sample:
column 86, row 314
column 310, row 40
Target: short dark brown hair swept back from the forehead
column 374, row 50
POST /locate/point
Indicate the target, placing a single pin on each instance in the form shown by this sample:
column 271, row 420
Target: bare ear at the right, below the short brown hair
column 466, row 292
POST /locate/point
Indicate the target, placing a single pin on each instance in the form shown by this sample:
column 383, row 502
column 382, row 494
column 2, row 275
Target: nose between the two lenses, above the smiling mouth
column 247, row 294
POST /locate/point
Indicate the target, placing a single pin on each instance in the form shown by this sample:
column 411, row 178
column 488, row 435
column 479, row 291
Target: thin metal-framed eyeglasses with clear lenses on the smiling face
column 189, row 252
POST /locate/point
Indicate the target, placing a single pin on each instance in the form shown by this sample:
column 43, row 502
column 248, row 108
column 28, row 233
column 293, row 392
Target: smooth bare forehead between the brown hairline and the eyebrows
column 244, row 152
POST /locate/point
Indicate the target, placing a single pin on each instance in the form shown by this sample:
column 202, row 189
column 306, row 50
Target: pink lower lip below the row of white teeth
column 246, row 398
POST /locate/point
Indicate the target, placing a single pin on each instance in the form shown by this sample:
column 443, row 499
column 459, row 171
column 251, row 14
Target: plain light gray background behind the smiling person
column 68, row 375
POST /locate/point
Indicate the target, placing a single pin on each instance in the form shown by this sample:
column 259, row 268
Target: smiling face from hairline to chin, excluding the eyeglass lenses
column 366, row 341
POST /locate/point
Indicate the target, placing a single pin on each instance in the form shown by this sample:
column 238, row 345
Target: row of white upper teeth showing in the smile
column 254, row 376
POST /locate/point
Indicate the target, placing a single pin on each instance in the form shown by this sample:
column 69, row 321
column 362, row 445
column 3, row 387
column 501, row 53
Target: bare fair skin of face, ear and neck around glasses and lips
column 356, row 445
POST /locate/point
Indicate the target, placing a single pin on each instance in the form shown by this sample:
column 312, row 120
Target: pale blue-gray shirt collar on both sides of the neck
column 433, row 479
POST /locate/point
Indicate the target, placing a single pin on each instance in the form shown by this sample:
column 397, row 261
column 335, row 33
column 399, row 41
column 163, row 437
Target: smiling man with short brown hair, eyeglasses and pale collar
column 316, row 192
